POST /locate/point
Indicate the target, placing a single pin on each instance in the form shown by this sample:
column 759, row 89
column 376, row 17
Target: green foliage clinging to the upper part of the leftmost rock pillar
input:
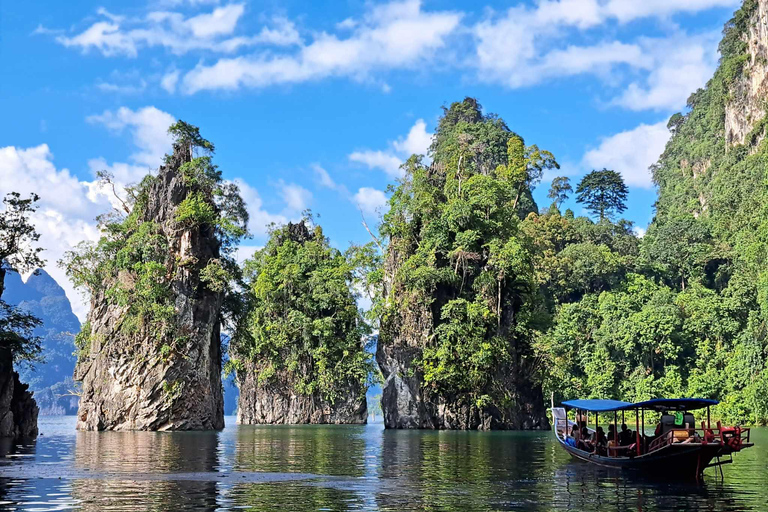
column 132, row 264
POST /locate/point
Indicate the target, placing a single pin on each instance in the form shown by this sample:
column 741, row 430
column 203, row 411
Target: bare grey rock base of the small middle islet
column 276, row 405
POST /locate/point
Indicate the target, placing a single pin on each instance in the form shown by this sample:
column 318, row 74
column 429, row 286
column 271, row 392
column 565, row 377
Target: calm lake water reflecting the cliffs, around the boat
column 344, row 468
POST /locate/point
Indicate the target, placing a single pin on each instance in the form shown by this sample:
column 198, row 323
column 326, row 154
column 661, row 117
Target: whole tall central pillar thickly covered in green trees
column 456, row 257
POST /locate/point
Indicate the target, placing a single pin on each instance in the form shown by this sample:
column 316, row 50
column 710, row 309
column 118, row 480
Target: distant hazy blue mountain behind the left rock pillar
column 51, row 381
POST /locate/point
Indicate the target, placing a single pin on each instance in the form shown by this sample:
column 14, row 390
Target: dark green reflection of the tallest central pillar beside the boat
column 459, row 471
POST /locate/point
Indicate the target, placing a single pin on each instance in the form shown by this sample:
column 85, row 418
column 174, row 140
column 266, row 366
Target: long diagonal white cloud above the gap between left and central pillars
column 391, row 36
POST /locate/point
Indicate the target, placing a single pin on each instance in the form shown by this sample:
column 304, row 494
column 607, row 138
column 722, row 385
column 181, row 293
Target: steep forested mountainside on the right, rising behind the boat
column 688, row 317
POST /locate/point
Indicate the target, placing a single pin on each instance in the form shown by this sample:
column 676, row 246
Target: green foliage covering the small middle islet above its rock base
column 301, row 325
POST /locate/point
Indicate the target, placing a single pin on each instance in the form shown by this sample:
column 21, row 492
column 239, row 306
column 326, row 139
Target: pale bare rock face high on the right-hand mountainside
column 748, row 93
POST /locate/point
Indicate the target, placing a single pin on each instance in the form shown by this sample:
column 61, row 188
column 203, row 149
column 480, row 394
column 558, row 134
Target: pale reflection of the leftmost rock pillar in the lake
column 122, row 465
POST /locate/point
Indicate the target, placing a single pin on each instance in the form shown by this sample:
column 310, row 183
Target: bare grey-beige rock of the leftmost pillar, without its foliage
column 130, row 381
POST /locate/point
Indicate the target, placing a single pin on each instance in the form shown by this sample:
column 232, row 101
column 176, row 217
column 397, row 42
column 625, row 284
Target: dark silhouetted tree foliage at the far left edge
column 18, row 254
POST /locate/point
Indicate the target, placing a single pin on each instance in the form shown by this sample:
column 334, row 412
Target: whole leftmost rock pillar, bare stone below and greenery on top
column 149, row 354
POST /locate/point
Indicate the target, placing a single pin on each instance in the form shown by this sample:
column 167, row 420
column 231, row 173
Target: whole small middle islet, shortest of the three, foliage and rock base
column 298, row 352
